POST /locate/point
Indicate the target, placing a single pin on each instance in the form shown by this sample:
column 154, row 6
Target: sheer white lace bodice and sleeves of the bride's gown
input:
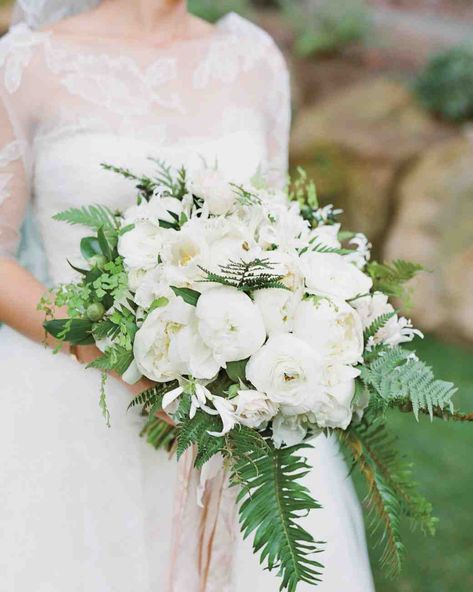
column 68, row 105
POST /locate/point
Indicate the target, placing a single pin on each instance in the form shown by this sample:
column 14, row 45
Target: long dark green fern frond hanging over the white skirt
column 271, row 502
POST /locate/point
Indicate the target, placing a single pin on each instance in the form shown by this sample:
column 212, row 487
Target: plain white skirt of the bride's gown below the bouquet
column 85, row 508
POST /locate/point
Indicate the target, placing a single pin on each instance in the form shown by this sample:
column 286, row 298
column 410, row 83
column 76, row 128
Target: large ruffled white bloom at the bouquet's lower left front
column 164, row 348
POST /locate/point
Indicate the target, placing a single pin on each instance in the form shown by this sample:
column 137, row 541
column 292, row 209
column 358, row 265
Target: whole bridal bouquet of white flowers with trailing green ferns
column 261, row 324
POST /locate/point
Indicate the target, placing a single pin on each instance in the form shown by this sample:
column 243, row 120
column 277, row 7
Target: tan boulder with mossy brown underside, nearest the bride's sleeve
column 357, row 143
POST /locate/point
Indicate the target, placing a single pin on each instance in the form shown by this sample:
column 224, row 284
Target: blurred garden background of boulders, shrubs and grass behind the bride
column 383, row 119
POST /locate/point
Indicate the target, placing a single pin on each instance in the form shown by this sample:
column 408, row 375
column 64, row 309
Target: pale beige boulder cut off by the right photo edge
column 434, row 226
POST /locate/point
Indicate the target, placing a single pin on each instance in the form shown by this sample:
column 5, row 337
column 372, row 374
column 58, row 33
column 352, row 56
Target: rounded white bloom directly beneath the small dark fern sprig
column 230, row 324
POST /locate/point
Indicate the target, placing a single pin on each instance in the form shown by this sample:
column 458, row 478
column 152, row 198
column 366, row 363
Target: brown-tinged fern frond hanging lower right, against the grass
column 391, row 492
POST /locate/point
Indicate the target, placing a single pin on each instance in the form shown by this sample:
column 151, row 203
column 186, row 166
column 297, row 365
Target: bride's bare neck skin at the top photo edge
column 147, row 17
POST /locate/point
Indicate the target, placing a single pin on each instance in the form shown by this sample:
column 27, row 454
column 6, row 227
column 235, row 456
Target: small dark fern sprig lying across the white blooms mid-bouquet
column 246, row 276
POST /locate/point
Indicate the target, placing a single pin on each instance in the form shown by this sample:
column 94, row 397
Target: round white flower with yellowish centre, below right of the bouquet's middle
column 287, row 369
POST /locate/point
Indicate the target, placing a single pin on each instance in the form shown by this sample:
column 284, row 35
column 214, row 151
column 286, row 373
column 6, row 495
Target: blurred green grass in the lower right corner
column 443, row 457
